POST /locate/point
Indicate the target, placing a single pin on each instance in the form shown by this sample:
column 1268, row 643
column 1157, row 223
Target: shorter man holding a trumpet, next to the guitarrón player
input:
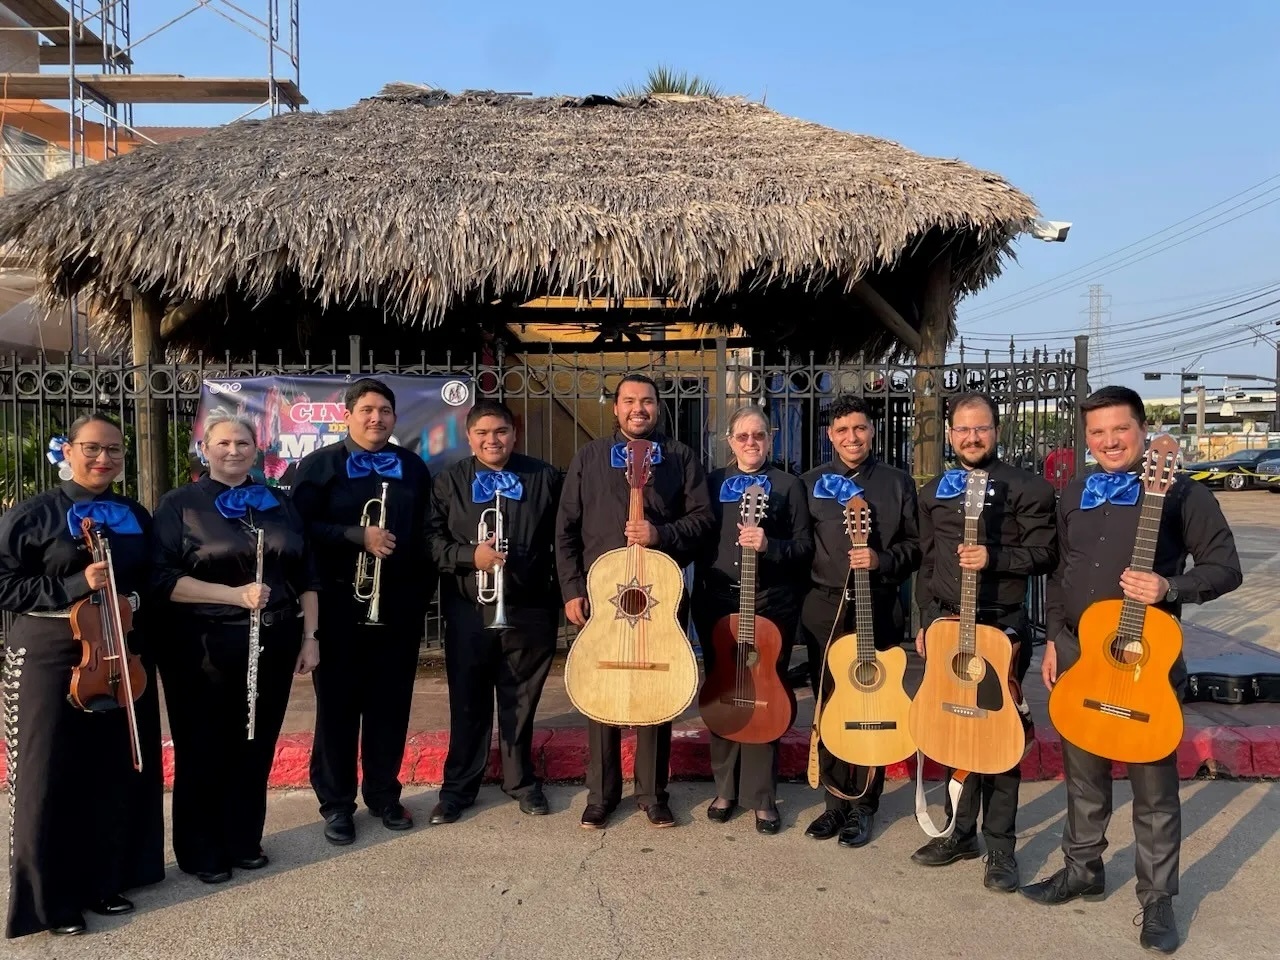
column 493, row 525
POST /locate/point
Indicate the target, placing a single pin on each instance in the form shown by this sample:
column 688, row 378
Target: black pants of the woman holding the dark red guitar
column 746, row 772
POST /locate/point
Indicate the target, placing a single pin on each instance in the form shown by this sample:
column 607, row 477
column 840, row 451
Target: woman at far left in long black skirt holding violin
column 83, row 720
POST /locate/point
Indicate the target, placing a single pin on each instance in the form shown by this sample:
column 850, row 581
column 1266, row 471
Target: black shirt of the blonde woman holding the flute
column 195, row 540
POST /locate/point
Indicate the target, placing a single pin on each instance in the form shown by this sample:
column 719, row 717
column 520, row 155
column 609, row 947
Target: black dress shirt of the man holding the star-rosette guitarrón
column 675, row 502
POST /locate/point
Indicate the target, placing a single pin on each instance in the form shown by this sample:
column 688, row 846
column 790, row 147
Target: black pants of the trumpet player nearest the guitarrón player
column 483, row 665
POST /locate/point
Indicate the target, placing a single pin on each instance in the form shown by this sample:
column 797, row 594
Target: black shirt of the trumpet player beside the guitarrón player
column 529, row 525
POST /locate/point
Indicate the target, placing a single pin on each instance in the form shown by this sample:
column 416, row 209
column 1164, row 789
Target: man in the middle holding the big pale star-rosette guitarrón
column 620, row 574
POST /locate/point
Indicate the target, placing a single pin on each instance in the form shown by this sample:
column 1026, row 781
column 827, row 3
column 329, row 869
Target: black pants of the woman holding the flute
column 221, row 776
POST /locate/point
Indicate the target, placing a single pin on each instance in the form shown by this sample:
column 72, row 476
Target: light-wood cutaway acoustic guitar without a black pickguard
column 865, row 721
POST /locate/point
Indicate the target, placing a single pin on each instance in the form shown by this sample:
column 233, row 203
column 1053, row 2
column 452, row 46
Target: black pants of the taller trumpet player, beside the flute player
column 364, row 693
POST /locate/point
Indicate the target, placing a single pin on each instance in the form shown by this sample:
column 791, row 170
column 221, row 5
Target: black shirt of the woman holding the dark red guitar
column 783, row 570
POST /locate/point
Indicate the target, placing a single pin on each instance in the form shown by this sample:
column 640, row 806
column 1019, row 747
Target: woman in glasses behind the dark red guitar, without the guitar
column 781, row 548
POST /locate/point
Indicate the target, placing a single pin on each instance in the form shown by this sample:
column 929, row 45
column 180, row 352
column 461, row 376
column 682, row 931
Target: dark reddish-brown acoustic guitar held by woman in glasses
column 744, row 698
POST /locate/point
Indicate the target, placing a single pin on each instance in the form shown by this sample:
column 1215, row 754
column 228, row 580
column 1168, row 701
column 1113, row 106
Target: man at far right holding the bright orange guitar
column 1114, row 662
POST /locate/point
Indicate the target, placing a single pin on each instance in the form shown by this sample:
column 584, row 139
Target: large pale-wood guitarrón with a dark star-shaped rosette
column 632, row 665
